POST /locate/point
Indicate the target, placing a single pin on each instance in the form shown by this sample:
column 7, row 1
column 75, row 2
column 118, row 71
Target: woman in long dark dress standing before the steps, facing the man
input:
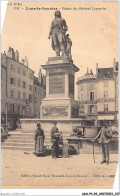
column 39, row 140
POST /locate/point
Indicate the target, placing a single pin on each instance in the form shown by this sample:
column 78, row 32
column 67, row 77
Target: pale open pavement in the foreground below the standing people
column 24, row 170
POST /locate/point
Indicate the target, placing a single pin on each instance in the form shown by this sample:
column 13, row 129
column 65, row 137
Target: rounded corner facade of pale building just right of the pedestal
column 87, row 95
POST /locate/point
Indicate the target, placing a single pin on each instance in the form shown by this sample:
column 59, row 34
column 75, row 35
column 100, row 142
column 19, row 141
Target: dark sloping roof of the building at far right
column 105, row 73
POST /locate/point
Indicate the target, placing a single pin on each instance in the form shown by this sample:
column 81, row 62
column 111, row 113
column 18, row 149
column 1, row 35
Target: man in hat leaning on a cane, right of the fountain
column 104, row 136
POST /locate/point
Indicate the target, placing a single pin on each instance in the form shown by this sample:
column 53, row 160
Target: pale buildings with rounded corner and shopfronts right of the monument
column 98, row 94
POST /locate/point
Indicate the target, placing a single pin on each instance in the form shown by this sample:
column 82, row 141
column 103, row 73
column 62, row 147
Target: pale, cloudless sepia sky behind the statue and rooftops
column 94, row 33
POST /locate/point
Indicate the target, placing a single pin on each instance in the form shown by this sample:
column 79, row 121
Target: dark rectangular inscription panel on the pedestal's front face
column 57, row 83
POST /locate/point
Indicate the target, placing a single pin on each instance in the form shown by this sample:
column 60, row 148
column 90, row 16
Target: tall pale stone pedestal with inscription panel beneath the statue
column 60, row 77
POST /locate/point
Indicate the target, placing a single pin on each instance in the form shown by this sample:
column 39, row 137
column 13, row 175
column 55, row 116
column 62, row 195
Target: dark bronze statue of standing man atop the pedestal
column 57, row 31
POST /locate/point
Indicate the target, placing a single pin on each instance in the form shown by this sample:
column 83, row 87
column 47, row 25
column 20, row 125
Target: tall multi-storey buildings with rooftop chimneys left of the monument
column 17, row 87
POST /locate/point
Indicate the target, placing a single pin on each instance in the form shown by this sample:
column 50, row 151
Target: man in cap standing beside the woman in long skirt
column 55, row 137
